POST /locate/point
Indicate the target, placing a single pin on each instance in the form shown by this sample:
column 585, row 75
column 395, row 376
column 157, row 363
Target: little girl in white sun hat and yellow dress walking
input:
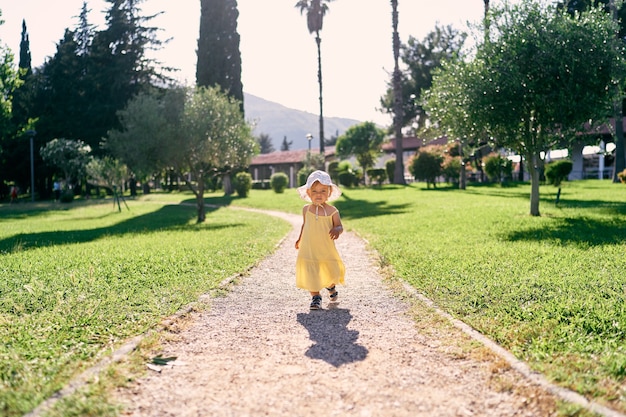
column 318, row 264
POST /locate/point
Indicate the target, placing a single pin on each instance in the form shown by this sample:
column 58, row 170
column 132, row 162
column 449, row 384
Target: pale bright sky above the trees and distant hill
column 279, row 56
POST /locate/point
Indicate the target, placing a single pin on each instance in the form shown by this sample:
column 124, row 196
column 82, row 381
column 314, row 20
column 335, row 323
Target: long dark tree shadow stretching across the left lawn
column 171, row 217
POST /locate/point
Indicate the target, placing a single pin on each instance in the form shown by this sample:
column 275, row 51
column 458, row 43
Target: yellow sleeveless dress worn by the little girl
column 318, row 264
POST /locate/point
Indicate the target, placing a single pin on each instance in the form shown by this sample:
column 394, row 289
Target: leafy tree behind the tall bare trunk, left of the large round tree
column 420, row 59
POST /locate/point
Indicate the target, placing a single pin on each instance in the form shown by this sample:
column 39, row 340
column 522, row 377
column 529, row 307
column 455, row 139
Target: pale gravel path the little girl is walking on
column 259, row 351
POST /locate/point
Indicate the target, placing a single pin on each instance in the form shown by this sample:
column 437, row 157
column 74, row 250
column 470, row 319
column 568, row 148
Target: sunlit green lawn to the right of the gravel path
column 550, row 289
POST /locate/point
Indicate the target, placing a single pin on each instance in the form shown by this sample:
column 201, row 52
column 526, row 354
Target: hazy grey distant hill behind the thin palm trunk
column 279, row 121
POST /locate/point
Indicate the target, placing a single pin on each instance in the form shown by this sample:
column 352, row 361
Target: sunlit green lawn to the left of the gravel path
column 79, row 279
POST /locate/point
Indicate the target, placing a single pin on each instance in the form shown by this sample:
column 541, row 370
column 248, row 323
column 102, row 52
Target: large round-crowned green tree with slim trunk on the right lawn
column 529, row 86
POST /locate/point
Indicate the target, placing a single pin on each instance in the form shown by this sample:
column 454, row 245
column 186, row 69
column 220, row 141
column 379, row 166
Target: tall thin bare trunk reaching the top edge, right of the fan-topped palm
column 398, row 112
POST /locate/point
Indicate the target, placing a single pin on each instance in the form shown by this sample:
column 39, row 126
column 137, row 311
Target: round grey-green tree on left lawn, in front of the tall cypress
column 202, row 134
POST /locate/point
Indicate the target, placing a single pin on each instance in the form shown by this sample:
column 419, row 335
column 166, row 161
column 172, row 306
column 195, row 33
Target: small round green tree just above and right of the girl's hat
column 363, row 141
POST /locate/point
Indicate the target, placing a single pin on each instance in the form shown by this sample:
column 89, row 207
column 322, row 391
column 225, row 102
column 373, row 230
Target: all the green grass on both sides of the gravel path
column 551, row 289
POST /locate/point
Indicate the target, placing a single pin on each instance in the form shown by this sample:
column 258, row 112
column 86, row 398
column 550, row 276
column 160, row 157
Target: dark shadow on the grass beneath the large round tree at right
column 576, row 231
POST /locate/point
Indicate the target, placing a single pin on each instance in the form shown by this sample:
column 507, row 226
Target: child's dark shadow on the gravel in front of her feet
column 334, row 343
